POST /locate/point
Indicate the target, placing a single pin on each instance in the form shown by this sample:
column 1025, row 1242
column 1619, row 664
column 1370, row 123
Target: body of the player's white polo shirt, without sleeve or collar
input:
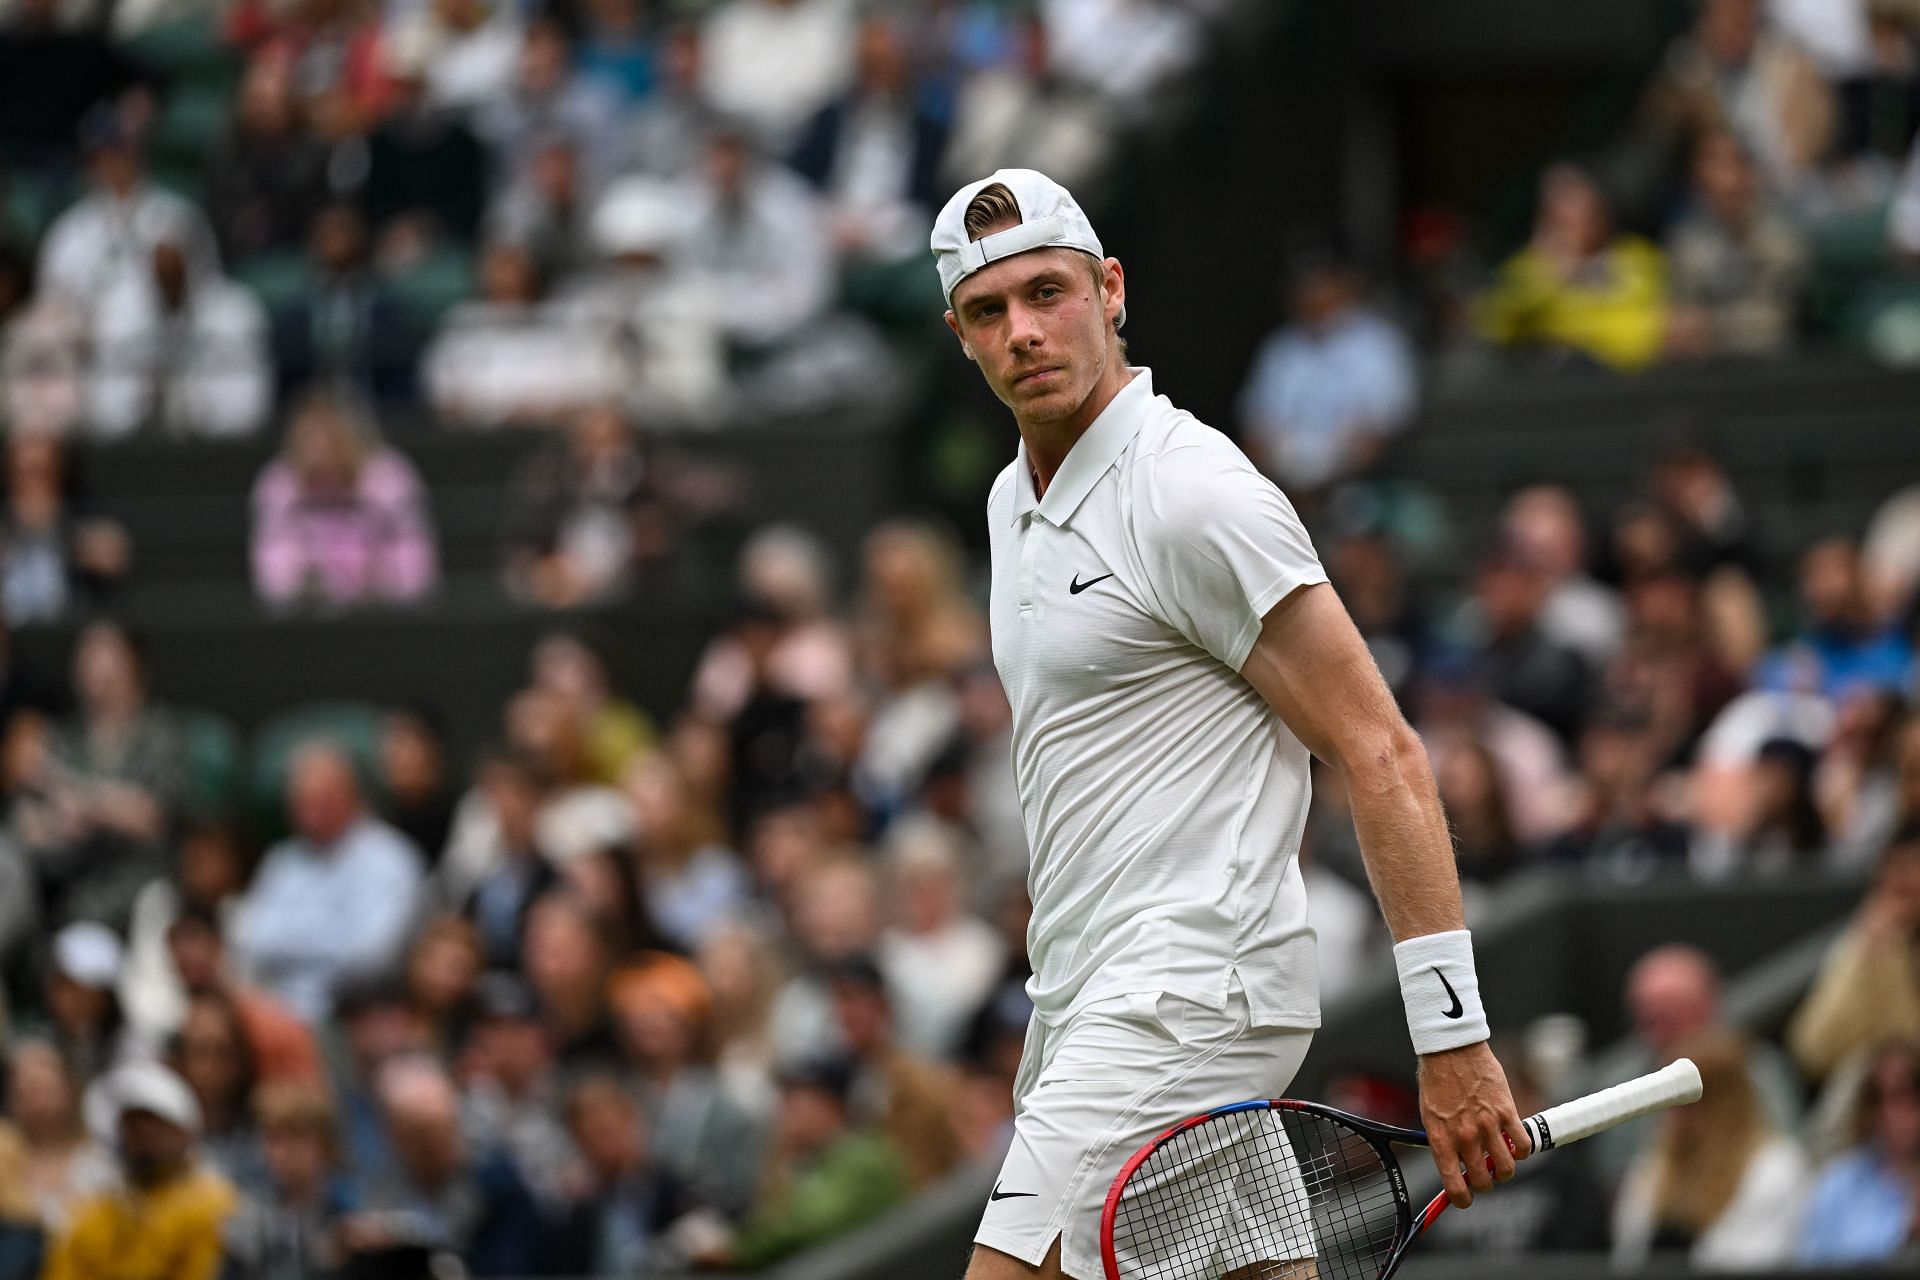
column 1141, row 765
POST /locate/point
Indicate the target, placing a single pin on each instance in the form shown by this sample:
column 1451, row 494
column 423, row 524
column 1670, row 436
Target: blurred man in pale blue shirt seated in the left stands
column 335, row 901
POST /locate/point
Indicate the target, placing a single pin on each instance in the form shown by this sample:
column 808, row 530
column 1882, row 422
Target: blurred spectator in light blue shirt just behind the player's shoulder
column 1332, row 387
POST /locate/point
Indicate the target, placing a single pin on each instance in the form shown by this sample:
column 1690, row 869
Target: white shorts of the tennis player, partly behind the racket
column 1097, row 1089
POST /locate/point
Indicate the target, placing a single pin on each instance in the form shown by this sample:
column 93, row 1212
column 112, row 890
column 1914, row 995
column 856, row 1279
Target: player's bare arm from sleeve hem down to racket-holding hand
column 1314, row 669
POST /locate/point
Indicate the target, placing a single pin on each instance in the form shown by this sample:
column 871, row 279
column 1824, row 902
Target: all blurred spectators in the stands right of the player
column 1644, row 690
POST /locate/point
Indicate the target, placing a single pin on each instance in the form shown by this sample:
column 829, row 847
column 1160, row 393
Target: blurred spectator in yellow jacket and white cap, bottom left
column 166, row 1221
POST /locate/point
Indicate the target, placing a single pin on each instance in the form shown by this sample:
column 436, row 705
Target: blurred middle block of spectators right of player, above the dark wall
column 1648, row 694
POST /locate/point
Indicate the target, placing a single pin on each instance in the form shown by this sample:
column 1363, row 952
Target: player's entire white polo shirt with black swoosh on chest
column 1163, row 797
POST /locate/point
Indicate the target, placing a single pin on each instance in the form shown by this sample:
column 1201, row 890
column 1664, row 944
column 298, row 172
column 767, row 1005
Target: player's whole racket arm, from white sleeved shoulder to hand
column 1236, row 571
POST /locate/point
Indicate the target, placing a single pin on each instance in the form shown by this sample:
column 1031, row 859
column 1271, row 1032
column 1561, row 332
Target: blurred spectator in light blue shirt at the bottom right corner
column 1865, row 1200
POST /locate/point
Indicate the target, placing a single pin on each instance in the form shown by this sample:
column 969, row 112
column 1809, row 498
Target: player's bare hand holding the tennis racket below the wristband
column 1472, row 1124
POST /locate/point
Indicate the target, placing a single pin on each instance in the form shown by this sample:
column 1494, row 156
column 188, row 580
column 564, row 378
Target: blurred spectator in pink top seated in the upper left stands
column 341, row 519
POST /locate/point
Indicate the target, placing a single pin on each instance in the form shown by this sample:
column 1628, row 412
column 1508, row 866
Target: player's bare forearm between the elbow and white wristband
column 1404, row 838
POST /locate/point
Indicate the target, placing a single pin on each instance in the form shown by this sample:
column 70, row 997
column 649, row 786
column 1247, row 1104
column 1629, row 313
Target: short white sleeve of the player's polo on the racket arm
column 1222, row 546
